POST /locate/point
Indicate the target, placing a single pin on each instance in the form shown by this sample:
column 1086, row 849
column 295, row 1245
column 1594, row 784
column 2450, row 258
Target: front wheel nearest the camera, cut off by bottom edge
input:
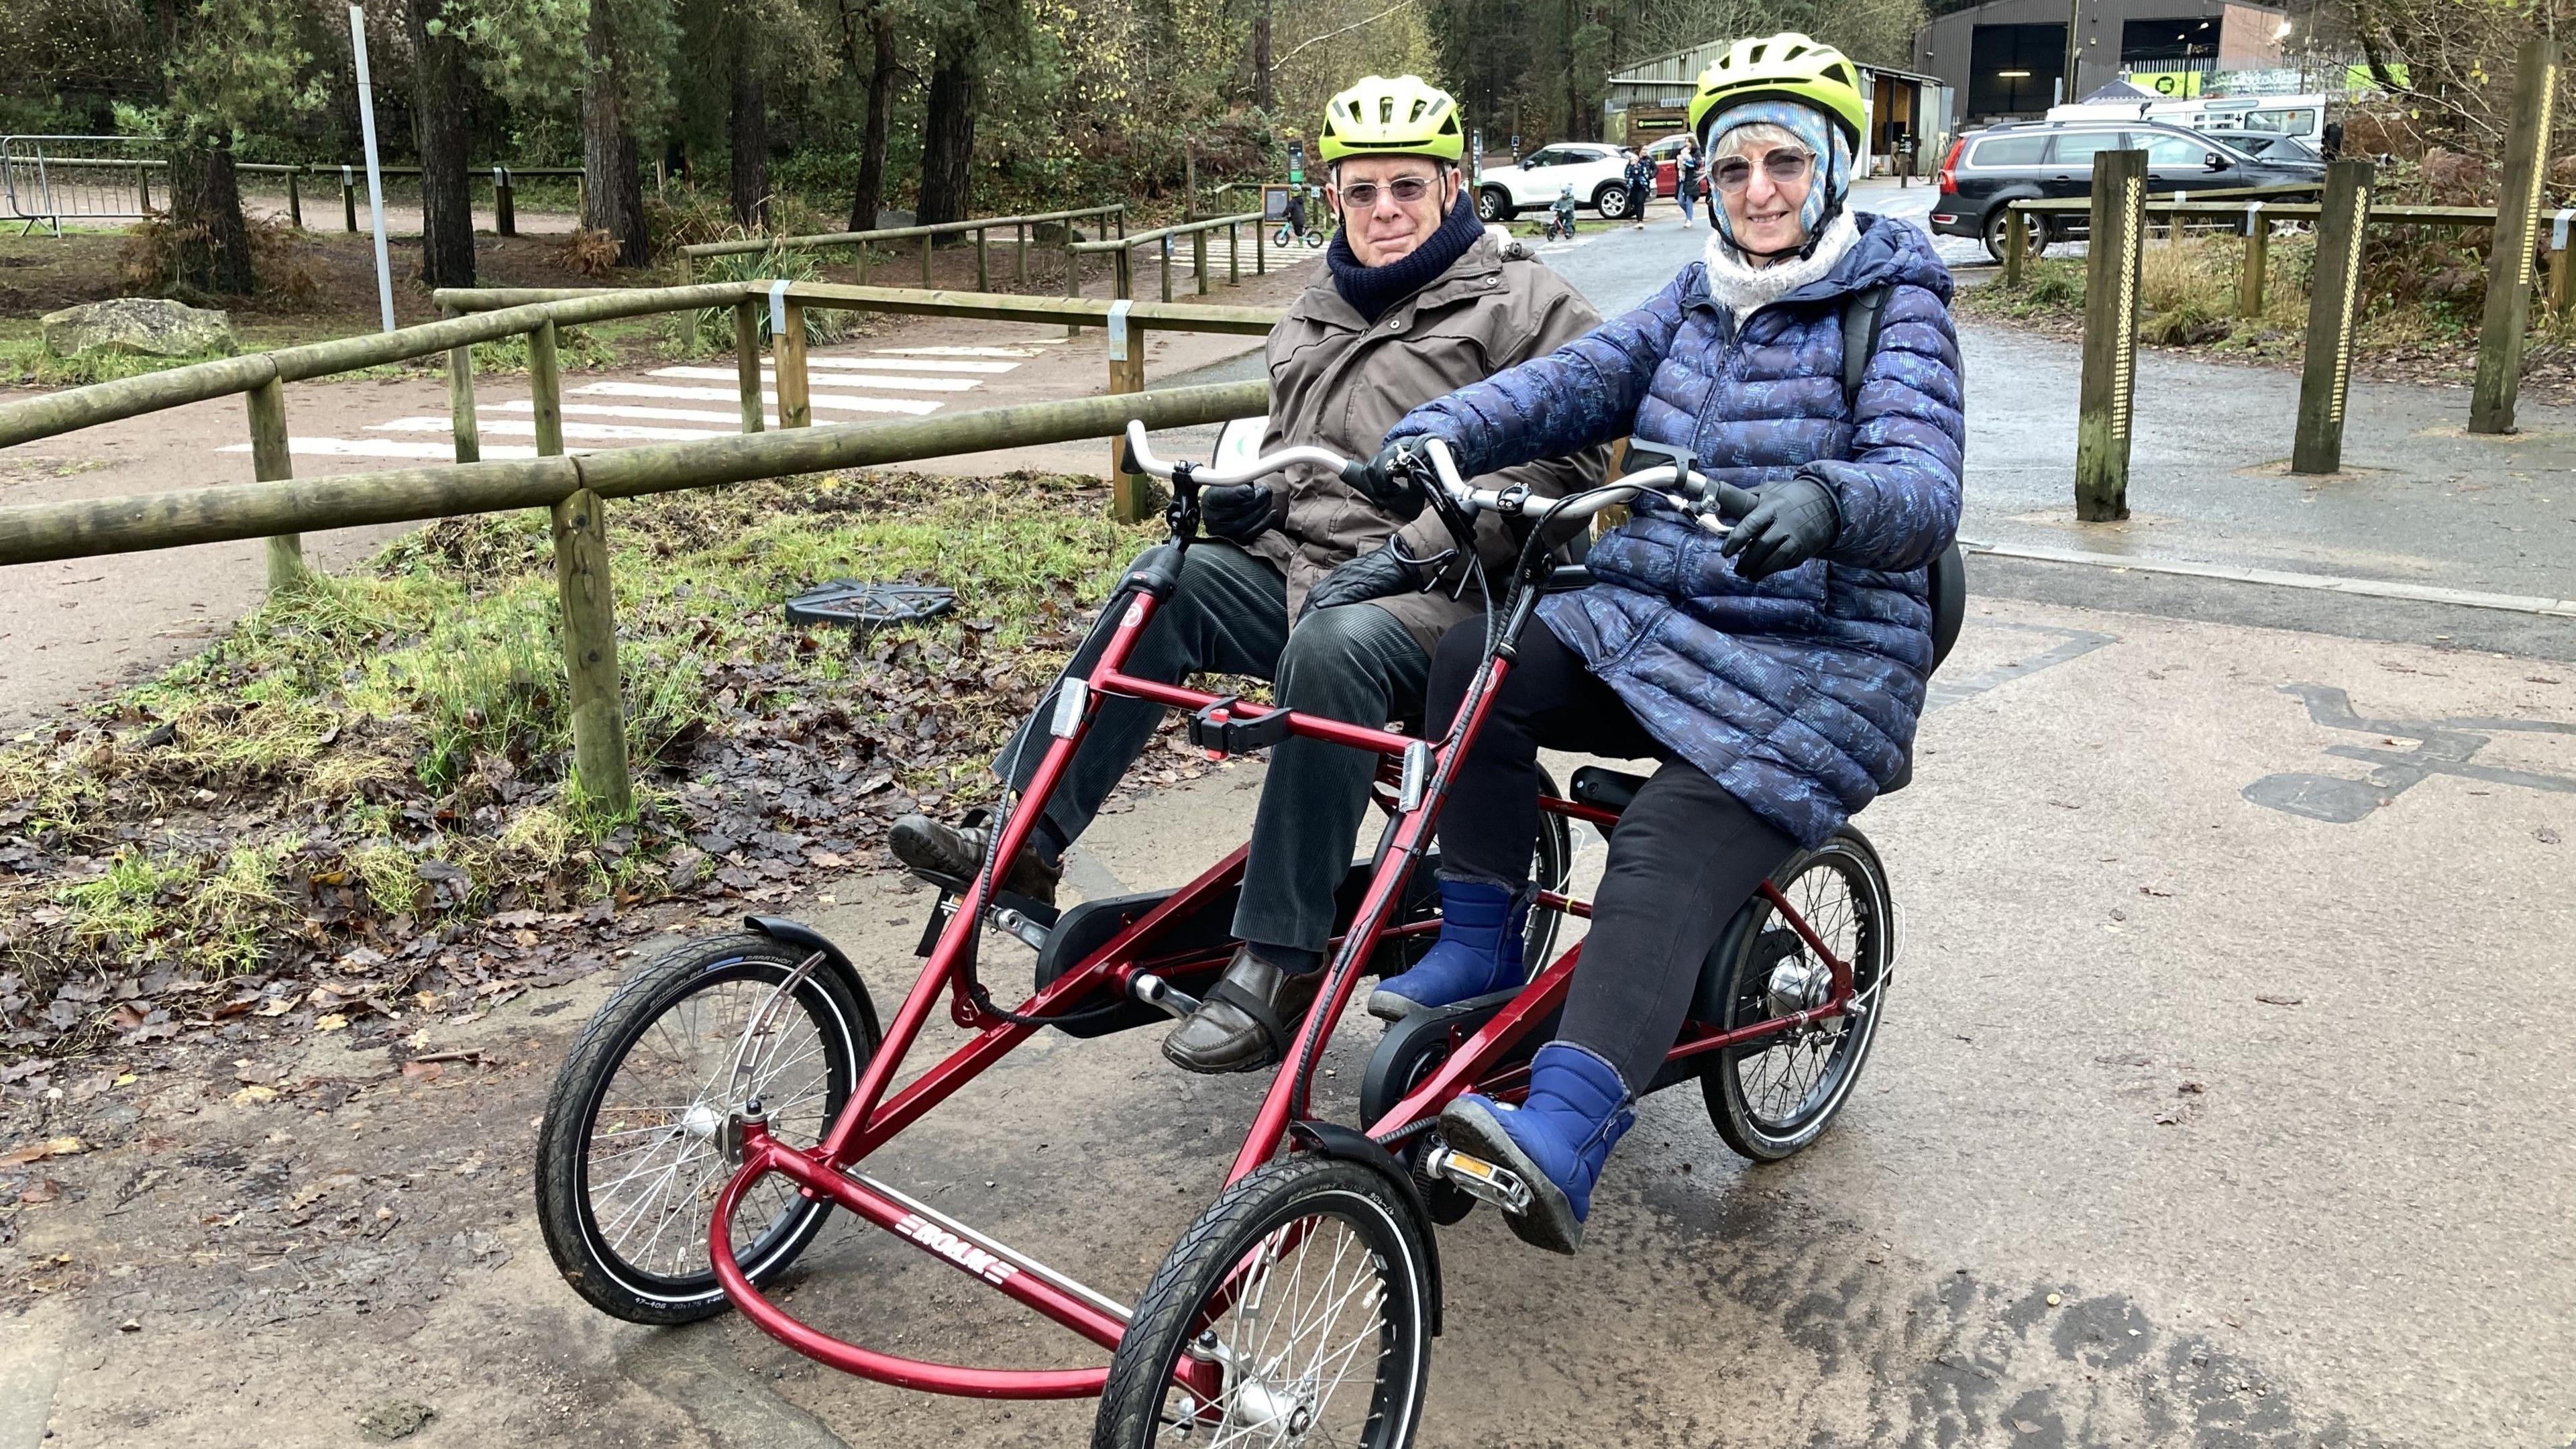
column 1297, row 1306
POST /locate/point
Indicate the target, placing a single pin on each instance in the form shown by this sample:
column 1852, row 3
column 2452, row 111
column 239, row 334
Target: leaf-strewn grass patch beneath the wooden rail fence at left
column 413, row 710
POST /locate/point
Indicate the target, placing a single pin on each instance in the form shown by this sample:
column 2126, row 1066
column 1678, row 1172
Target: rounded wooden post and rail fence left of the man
column 576, row 491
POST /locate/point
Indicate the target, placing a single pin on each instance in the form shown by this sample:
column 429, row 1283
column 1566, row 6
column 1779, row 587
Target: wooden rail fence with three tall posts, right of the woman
column 2119, row 220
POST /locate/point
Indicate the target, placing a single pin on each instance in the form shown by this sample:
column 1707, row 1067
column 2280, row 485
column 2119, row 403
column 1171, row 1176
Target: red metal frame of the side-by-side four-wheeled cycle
column 877, row 1113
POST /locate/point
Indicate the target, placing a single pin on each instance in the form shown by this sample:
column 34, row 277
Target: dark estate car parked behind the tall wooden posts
column 2054, row 159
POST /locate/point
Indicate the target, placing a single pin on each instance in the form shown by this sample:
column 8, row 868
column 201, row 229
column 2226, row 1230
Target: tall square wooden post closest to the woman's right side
column 2111, row 336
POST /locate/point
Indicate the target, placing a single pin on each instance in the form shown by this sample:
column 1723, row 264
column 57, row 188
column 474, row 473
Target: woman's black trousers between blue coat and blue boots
column 1683, row 857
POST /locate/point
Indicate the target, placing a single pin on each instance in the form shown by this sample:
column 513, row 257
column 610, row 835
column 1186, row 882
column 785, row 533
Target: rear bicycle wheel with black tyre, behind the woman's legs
column 1776, row 1094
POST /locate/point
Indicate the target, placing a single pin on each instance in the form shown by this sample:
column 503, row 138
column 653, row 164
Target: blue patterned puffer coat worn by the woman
column 1802, row 692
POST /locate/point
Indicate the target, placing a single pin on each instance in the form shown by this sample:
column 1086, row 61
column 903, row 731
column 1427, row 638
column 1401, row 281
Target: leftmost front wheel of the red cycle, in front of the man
column 627, row 1162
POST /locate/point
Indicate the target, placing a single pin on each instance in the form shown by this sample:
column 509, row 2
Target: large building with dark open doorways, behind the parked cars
column 2008, row 58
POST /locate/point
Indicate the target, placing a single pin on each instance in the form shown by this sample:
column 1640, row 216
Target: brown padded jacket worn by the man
column 1341, row 383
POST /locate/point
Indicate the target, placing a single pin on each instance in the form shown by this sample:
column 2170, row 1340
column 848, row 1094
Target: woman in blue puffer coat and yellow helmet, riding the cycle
column 1776, row 674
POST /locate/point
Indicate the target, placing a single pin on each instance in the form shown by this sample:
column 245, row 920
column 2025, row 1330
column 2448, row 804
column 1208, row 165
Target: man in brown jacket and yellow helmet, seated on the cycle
column 1312, row 587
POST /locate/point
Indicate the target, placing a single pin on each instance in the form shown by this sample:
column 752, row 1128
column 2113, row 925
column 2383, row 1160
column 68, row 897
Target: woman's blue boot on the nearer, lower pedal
column 1555, row 1141
